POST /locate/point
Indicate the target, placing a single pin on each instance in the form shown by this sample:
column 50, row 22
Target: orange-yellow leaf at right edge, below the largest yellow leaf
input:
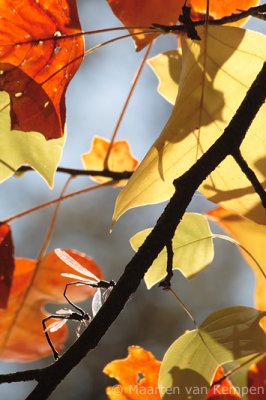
column 253, row 238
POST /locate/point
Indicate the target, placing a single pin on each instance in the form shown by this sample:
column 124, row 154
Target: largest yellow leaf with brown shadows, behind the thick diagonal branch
column 215, row 76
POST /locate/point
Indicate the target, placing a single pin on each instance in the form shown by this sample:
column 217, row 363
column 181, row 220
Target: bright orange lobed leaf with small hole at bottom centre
column 137, row 376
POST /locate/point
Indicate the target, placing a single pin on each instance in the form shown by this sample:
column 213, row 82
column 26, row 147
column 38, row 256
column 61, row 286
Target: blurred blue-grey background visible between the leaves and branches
column 152, row 319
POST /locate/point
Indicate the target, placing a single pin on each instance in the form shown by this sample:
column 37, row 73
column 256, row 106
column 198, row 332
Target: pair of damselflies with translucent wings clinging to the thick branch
column 64, row 315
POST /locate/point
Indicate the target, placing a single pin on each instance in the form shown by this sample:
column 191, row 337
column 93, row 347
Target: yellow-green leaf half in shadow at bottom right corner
column 191, row 361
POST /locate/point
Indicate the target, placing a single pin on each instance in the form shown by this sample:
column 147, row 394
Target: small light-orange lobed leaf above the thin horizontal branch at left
column 120, row 158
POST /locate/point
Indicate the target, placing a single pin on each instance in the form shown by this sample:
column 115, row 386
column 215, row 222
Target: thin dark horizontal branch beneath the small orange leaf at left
column 117, row 176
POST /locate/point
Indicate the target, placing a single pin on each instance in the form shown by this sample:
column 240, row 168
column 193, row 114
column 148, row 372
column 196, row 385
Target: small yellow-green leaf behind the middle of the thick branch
column 192, row 247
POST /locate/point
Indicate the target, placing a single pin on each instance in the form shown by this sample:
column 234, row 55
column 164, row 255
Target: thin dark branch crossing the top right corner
column 253, row 11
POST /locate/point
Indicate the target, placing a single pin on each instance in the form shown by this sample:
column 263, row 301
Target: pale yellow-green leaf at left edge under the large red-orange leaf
column 18, row 148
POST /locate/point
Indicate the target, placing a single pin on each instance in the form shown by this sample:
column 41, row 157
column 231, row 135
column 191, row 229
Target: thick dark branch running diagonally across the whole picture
column 185, row 187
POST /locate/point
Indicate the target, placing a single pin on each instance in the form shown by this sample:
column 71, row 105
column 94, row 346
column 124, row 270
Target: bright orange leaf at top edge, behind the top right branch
column 219, row 9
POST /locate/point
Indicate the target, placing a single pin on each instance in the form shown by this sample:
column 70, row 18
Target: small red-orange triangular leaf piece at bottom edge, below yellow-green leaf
column 223, row 391
